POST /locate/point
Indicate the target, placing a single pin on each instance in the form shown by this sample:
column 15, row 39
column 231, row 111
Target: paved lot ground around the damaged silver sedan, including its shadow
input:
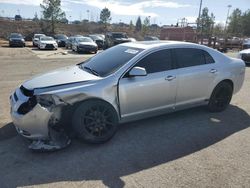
column 191, row 148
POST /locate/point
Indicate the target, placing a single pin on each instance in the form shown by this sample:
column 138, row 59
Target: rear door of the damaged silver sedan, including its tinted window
column 196, row 73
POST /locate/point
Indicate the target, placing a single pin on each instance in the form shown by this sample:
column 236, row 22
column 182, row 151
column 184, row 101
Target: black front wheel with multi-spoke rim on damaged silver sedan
column 95, row 121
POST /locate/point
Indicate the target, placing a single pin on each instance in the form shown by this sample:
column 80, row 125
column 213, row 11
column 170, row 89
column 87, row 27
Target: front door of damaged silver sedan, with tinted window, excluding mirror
column 155, row 91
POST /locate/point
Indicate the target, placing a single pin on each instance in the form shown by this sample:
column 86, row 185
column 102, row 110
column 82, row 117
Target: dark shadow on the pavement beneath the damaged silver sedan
column 137, row 146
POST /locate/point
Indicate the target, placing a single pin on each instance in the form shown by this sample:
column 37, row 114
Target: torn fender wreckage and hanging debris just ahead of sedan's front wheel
column 58, row 137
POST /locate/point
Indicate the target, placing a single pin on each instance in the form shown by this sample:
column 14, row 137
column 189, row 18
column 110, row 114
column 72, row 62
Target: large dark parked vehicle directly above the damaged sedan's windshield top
column 114, row 38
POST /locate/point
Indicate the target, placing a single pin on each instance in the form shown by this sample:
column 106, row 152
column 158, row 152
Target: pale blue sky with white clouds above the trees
column 160, row 11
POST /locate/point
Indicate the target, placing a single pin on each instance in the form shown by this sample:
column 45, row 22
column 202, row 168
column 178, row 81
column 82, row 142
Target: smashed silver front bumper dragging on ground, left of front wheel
column 35, row 121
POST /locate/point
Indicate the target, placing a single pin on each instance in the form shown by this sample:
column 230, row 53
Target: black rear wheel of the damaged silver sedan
column 221, row 97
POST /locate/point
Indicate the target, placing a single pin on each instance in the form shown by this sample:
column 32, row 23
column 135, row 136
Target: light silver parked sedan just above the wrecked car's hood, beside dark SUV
column 84, row 44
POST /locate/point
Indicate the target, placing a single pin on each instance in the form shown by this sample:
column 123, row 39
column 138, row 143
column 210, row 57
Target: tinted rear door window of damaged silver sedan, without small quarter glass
column 187, row 57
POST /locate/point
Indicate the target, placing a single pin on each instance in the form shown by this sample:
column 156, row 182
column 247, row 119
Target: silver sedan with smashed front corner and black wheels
column 127, row 82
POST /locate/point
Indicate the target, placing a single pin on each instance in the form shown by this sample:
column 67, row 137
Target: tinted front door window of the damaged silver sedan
column 156, row 62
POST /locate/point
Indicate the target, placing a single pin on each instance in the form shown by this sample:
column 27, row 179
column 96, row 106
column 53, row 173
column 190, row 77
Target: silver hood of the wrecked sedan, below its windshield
column 61, row 76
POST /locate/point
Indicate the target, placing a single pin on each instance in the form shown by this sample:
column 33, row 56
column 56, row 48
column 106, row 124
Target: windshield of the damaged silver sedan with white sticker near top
column 110, row 60
